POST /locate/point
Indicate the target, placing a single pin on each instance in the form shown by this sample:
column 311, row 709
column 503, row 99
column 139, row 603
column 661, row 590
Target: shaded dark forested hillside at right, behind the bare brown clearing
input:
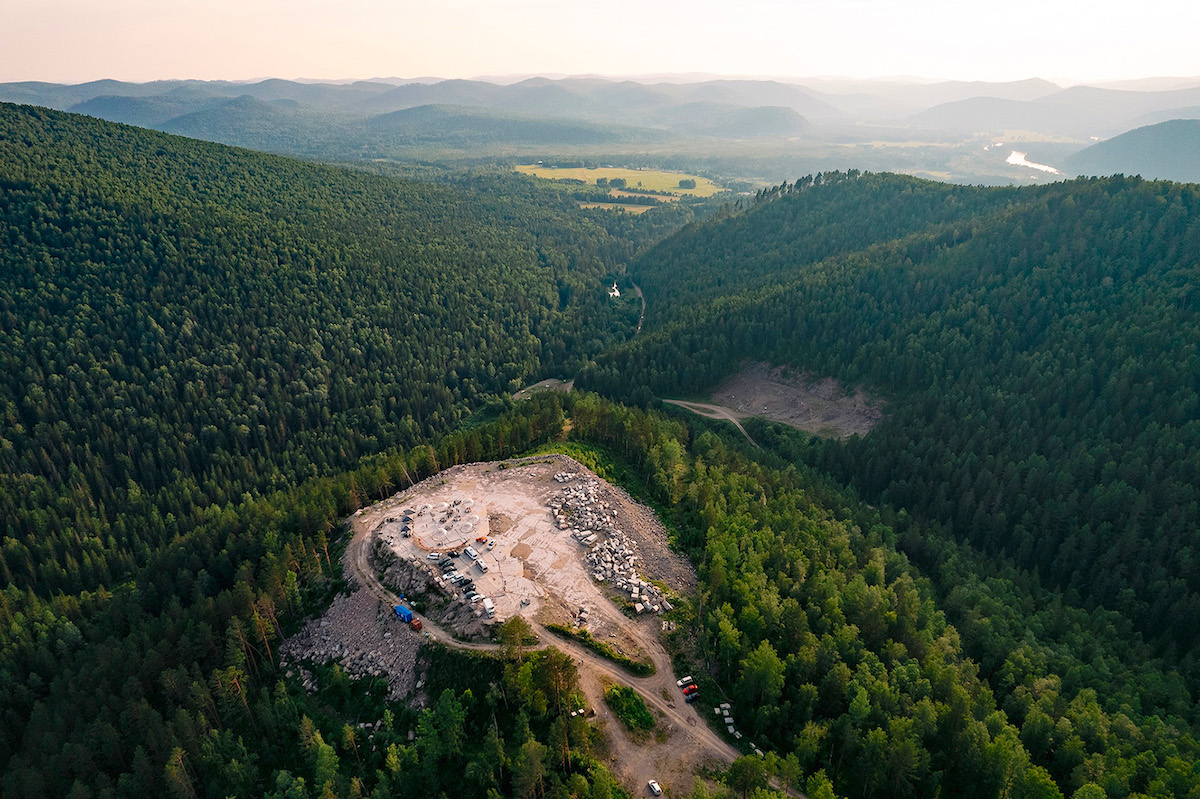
column 1037, row 349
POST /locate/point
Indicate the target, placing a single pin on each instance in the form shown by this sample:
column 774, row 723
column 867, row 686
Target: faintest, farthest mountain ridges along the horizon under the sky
column 952, row 105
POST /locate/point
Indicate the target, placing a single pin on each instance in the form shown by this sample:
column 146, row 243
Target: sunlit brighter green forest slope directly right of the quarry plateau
column 837, row 650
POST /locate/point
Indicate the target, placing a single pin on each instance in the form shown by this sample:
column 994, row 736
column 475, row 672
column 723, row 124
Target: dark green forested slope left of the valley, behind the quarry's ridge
column 184, row 323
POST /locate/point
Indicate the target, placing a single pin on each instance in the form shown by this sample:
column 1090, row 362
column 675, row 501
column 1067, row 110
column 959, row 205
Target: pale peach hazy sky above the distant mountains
column 142, row 40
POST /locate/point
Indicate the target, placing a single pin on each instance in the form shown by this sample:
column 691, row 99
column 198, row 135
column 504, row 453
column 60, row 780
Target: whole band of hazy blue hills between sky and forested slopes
column 736, row 129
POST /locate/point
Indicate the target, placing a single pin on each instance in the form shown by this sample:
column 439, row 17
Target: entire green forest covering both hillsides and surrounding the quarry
column 212, row 357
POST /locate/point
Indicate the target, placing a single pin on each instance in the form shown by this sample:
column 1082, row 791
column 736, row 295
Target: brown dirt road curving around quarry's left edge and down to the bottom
column 687, row 743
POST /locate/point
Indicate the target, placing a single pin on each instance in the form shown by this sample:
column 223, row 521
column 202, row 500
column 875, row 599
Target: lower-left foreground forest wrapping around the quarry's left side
column 167, row 686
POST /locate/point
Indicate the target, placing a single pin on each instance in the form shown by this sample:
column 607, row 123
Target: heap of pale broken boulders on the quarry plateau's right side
column 580, row 510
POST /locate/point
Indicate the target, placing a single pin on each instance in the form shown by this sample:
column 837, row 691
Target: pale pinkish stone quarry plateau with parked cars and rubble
column 556, row 537
